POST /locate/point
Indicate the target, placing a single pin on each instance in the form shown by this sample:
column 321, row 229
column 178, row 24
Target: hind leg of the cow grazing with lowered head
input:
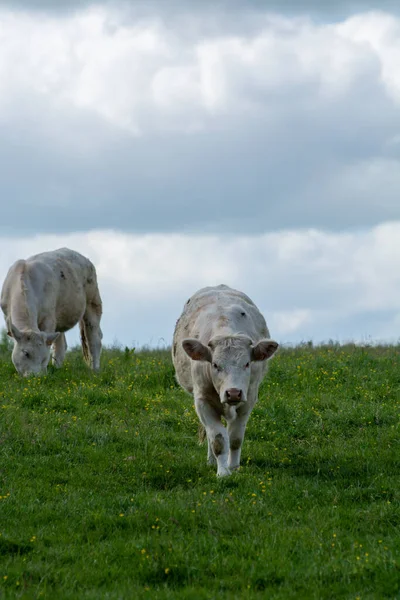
column 91, row 334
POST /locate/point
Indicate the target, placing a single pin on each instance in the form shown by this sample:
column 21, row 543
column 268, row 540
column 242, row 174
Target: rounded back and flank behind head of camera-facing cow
column 212, row 311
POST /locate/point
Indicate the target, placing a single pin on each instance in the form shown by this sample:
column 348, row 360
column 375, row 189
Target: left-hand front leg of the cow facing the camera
column 217, row 437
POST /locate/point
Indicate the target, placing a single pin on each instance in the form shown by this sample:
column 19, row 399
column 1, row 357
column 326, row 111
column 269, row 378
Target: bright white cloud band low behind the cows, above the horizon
column 309, row 284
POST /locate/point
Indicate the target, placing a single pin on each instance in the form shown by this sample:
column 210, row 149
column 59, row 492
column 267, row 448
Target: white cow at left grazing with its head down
column 44, row 296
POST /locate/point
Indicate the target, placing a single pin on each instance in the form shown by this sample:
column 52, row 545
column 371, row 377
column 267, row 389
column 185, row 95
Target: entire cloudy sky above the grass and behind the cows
column 181, row 144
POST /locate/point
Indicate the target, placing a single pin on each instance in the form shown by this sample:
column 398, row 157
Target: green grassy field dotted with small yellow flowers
column 105, row 491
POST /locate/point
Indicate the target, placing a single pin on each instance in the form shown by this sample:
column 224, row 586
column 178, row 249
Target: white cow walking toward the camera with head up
column 220, row 349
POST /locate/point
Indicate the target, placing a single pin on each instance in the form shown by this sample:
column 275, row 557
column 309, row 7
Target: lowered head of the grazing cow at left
column 31, row 352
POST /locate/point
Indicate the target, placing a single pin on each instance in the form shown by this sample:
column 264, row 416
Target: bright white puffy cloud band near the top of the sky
column 132, row 73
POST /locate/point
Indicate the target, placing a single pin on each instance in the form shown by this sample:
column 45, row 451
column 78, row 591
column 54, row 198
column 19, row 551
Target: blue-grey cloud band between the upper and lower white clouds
column 250, row 178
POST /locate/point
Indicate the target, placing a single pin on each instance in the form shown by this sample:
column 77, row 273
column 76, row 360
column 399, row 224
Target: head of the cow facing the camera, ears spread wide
column 230, row 358
